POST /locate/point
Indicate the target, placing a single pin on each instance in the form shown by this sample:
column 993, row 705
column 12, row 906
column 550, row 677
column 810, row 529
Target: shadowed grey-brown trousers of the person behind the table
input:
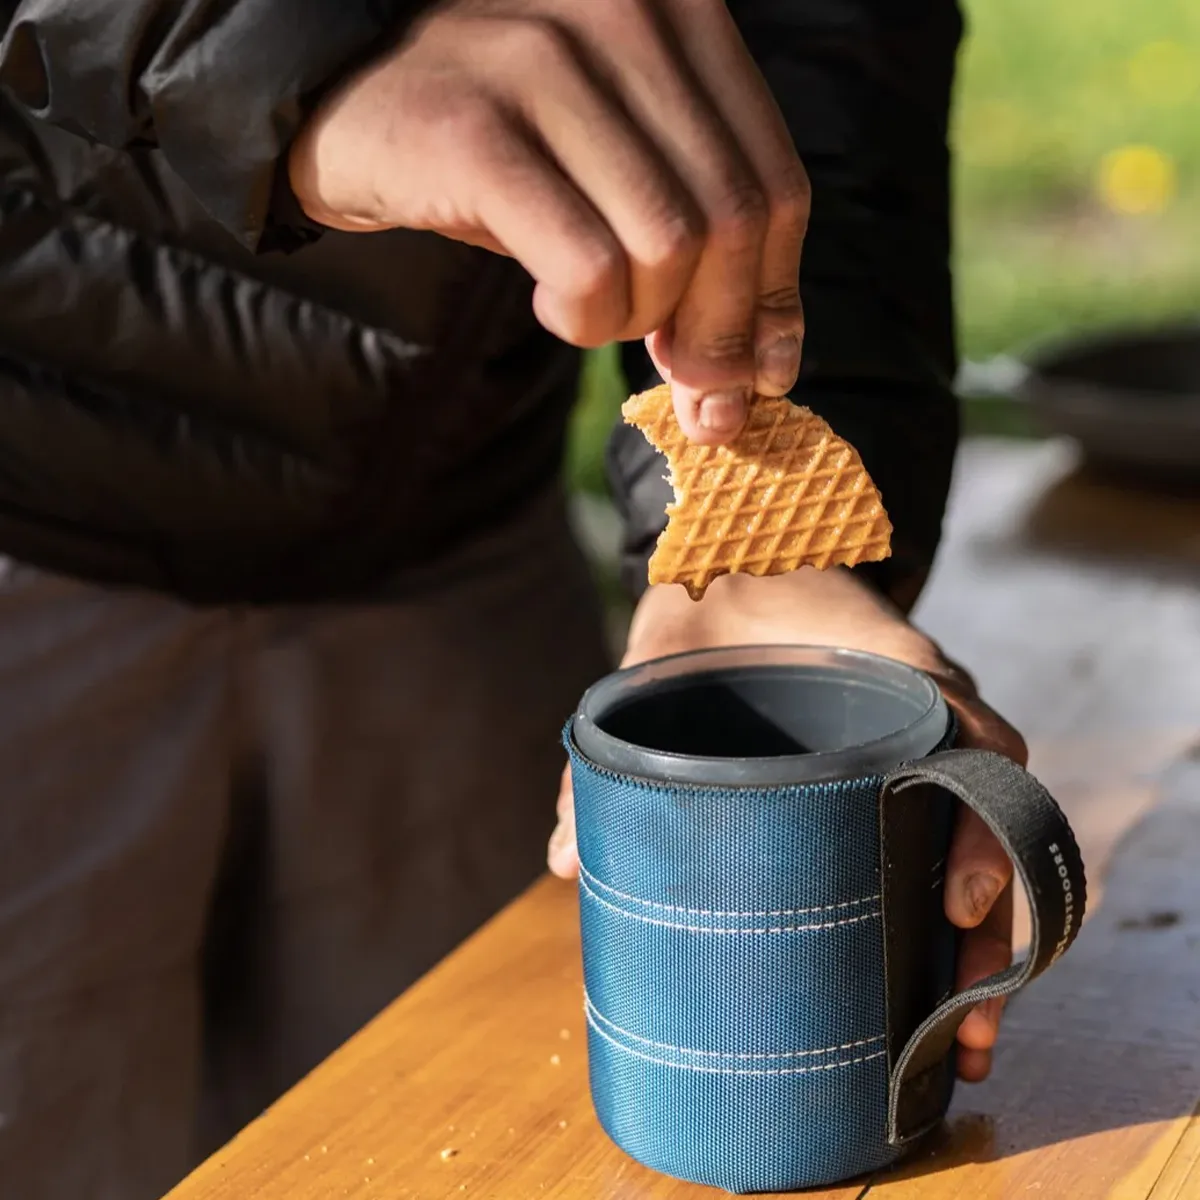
column 229, row 838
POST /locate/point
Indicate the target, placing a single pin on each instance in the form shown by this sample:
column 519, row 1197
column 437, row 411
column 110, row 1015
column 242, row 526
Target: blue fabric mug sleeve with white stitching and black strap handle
column 770, row 973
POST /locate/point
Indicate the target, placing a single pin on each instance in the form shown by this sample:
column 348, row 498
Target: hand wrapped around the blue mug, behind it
column 835, row 609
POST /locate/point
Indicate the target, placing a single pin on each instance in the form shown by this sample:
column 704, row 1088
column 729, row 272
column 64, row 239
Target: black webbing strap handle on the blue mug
column 1046, row 857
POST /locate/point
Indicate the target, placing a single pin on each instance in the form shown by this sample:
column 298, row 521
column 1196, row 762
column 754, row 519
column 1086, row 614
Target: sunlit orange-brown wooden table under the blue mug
column 1081, row 610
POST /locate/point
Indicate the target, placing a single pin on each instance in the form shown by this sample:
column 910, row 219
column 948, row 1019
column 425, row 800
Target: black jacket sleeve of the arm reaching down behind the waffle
column 866, row 89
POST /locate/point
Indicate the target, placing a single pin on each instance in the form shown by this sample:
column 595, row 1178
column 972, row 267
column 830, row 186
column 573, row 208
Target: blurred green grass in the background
column 1047, row 89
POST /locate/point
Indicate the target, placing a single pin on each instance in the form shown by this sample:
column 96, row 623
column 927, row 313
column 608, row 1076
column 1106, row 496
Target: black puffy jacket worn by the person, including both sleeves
column 200, row 395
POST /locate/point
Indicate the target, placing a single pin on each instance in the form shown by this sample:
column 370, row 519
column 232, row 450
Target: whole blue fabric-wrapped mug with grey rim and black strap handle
column 769, row 969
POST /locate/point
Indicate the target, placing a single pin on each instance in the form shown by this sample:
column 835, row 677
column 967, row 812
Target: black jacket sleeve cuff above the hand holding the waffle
column 220, row 88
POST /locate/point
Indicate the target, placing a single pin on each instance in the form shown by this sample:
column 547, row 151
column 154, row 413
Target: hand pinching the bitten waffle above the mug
column 627, row 153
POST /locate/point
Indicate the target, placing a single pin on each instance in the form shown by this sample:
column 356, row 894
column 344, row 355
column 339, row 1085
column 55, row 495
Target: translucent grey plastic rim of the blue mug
column 919, row 739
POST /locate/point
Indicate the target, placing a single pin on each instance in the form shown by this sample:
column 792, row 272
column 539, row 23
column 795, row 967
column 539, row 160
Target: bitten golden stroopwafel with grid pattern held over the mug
column 788, row 493
